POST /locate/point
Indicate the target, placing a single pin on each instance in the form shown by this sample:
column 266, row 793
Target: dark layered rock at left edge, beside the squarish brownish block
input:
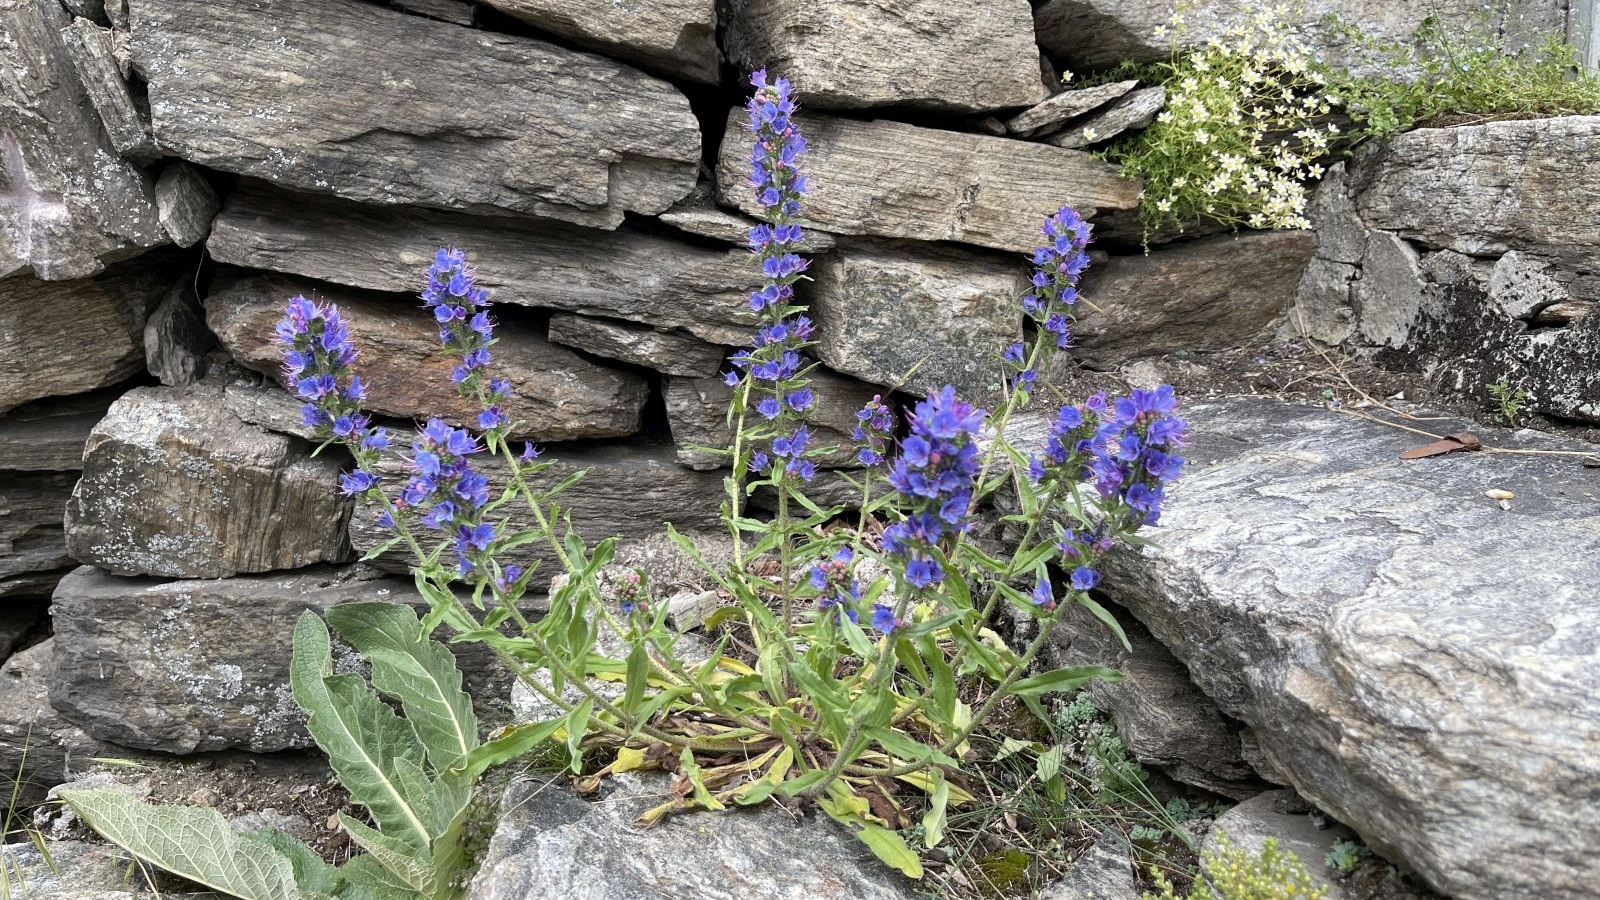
column 33, row 547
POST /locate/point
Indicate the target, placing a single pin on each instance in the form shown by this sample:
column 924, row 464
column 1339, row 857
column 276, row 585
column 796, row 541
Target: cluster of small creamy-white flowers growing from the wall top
column 1244, row 127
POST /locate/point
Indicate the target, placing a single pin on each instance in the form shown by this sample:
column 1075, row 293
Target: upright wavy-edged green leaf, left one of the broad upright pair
column 359, row 733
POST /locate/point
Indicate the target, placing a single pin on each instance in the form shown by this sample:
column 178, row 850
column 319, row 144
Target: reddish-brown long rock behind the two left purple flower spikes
column 556, row 395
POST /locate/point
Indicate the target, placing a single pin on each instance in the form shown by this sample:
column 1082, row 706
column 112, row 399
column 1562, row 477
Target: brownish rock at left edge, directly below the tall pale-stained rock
column 74, row 337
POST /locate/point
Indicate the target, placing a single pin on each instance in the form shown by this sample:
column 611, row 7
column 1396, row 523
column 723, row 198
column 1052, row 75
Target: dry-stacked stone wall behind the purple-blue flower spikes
column 174, row 171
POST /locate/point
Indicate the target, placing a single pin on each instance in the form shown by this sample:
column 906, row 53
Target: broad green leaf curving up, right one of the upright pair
column 418, row 672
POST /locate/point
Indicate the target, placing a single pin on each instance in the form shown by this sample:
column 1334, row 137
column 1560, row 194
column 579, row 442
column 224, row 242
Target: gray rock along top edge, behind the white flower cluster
column 1103, row 33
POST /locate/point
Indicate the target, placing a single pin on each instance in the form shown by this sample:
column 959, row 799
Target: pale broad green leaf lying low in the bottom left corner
column 193, row 843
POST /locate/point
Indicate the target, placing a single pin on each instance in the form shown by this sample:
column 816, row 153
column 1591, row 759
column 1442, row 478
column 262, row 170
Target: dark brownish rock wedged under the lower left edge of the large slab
column 1161, row 715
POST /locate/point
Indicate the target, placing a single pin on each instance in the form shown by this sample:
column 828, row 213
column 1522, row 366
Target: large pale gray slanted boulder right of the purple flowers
column 1414, row 659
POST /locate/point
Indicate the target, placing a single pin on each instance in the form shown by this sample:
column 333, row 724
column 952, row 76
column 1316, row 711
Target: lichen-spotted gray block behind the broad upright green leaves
column 186, row 667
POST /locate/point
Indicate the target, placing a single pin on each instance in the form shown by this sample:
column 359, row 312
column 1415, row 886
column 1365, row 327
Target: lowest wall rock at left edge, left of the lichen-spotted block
column 38, row 747
